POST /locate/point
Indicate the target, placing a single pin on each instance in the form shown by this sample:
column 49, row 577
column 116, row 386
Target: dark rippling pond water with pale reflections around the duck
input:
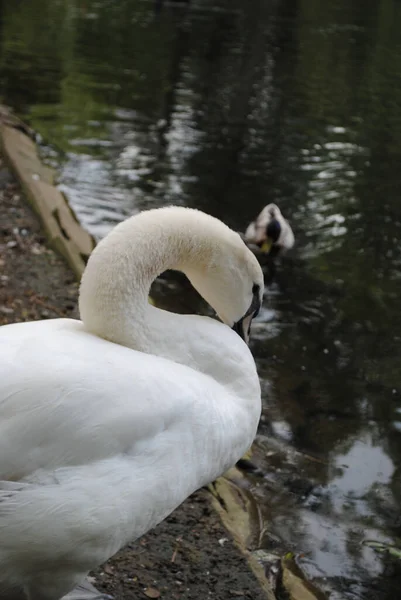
column 226, row 105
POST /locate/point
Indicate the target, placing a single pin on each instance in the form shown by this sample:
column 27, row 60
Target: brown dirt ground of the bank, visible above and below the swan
column 188, row 556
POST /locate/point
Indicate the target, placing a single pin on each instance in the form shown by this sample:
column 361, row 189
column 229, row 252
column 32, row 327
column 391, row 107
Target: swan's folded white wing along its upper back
column 67, row 398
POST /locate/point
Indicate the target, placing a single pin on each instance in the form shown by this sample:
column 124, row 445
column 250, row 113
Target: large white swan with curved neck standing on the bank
column 109, row 423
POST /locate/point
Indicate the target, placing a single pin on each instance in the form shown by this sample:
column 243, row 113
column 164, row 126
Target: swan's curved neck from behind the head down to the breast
column 114, row 301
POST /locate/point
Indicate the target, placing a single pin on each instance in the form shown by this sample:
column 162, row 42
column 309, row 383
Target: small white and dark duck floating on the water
column 270, row 231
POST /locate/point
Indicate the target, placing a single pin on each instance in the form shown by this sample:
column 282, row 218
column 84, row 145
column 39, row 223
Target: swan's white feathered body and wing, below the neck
column 99, row 443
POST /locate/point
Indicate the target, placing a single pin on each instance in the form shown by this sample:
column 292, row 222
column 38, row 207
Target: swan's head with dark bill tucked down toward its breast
column 227, row 275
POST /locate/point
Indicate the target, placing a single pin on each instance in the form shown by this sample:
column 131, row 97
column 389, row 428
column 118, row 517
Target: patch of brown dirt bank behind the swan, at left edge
column 35, row 282
